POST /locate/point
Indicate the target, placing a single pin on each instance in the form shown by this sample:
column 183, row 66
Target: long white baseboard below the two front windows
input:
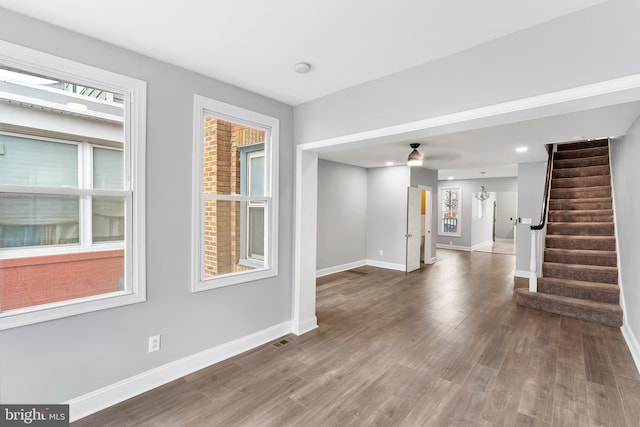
column 105, row 397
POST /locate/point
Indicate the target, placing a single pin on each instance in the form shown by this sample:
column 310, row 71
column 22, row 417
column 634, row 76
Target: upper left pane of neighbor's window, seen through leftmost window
column 33, row 162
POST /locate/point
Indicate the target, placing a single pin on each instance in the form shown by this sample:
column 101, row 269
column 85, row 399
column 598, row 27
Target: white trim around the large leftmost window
column 135, row 138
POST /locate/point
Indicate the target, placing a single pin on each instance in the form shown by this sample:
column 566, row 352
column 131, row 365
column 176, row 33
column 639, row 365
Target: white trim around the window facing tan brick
column 207, row 106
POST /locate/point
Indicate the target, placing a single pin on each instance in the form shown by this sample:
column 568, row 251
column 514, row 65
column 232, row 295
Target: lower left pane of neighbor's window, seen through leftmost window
column 38, row 220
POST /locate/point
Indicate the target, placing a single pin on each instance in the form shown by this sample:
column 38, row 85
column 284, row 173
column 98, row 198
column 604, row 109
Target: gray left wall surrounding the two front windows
column 62, row 359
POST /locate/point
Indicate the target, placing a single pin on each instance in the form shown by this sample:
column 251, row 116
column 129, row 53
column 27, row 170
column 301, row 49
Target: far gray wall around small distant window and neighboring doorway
column 470, row 186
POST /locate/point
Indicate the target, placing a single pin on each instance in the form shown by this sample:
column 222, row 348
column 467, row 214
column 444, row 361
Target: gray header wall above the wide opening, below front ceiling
column 563, row 53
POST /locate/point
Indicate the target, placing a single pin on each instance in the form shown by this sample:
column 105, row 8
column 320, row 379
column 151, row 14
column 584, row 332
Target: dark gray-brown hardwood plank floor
column 443, row 346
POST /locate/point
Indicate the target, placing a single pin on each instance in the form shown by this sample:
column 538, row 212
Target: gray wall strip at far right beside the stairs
column 625, row 156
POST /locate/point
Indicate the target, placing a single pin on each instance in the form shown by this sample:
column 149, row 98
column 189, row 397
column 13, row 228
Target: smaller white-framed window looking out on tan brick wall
column 235, row 204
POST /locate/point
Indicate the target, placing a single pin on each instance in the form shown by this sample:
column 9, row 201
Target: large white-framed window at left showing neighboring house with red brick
column 71, row 188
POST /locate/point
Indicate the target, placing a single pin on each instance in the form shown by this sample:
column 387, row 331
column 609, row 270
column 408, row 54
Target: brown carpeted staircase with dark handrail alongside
column 579, row 272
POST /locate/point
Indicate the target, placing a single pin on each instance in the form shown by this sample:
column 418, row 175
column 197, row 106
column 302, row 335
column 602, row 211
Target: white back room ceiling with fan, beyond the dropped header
column 492, row 149
